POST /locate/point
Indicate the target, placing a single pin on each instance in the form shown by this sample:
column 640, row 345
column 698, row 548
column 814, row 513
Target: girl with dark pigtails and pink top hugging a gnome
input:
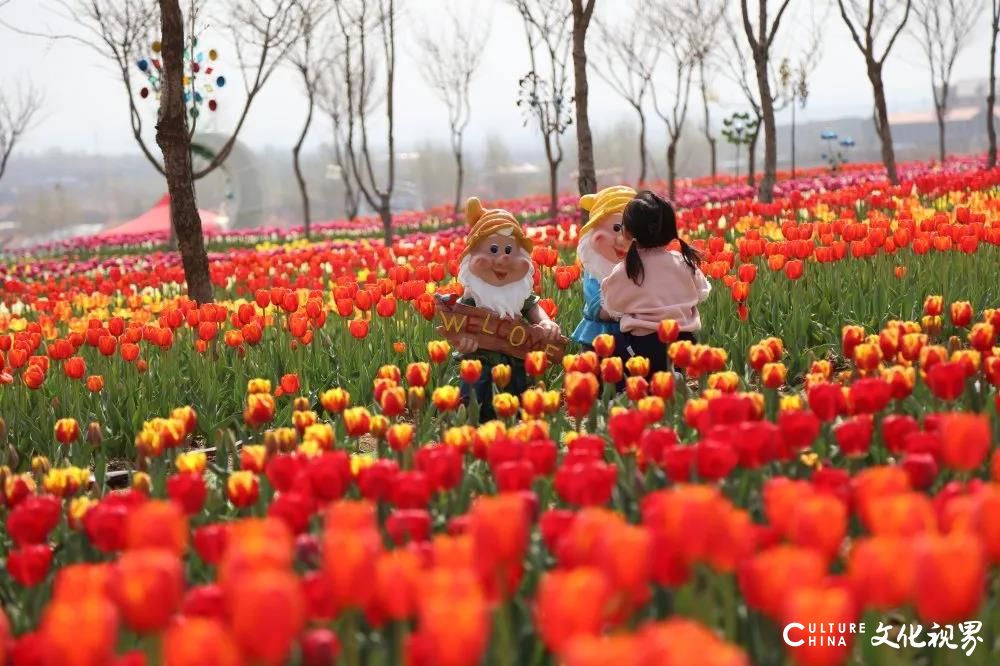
column 653, row 283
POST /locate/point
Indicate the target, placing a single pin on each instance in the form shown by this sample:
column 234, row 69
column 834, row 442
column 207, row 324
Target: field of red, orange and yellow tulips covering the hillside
column 288, row 475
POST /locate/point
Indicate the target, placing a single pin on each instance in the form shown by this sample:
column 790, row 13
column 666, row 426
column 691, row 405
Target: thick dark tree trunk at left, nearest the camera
column 173, row 139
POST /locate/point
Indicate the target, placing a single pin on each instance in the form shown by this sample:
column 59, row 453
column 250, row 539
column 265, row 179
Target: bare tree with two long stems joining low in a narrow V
column 359, row 21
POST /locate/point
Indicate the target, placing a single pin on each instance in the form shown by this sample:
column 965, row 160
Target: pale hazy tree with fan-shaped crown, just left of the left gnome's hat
column 448, row 65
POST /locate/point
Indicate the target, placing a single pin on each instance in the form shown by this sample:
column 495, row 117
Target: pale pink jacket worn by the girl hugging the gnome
column 668, row 291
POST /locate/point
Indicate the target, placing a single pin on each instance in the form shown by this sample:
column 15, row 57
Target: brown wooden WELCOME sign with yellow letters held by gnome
column 513, row 337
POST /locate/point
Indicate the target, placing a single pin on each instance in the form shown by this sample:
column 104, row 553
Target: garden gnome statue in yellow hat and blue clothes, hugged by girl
column 600, row 246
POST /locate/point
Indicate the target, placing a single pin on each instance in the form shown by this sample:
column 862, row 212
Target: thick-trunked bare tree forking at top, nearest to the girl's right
column 761, row 39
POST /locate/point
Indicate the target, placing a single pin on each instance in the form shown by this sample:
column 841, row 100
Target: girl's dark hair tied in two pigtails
column 651, row 221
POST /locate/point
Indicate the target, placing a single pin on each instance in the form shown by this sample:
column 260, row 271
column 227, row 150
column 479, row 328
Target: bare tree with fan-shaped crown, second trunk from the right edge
column 942, row 30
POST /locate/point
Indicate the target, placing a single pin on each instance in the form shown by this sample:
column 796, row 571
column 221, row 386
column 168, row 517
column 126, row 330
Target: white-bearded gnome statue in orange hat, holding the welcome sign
column 496, row 273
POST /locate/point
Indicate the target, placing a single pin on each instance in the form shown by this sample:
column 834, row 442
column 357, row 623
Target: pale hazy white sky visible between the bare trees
column 86, row 108
